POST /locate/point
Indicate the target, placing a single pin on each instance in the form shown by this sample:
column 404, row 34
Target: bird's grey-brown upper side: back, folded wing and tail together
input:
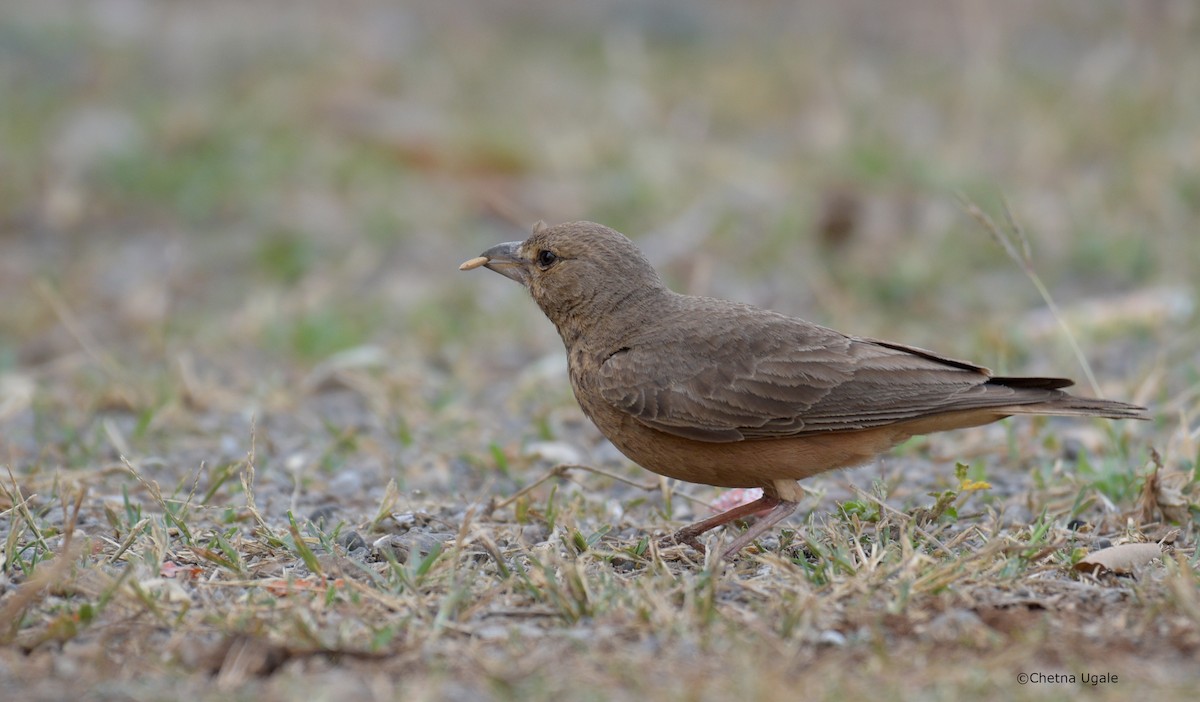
column 717, row 371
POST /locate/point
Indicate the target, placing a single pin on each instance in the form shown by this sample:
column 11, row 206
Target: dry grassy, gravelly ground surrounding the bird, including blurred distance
column 261, row 440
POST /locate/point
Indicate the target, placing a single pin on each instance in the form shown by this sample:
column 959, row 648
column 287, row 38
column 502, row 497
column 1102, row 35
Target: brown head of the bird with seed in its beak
column 578, row 273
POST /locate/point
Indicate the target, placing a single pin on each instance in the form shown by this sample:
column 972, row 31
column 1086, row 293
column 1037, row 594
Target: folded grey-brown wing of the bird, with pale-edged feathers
column 773, row 376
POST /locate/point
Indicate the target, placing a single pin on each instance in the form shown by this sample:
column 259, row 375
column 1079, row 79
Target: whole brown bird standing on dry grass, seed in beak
column 725, row 394
